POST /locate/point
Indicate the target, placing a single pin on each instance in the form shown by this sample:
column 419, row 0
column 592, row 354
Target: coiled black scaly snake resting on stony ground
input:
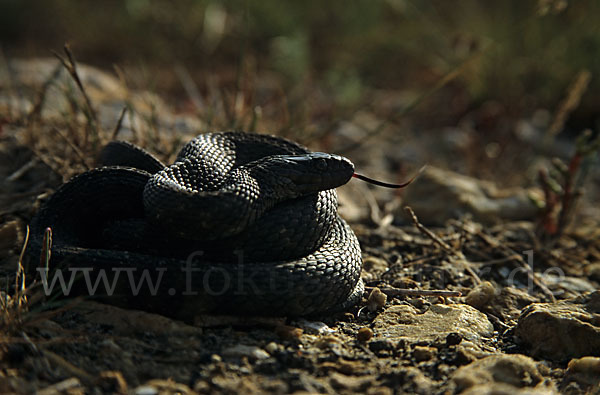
column 239, row 223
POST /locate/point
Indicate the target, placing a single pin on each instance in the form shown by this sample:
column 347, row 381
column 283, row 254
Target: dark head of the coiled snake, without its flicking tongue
column 308, row 173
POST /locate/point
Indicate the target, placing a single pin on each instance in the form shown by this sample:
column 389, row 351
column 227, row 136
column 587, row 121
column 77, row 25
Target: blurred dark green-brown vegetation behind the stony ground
column 519, row 55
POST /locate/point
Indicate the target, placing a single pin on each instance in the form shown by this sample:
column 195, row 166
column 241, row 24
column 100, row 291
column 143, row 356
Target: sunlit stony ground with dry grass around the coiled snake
column 473, row 291
